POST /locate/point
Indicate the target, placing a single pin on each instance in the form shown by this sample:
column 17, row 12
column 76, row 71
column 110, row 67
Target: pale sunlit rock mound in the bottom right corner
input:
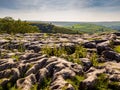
column 109, row 70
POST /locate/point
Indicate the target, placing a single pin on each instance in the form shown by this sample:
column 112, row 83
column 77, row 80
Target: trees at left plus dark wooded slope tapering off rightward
column 9, row 25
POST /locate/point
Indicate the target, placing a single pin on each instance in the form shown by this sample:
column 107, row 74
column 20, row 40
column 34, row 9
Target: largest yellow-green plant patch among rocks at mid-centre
column 66, row 52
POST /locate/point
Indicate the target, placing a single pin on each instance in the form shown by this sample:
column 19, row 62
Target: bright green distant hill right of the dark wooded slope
column 90, row 28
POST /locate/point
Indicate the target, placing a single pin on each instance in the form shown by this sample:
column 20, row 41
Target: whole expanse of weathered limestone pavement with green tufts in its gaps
column 24, row 66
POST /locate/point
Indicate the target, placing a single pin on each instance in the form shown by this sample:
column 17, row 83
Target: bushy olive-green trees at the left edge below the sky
column 9, row 25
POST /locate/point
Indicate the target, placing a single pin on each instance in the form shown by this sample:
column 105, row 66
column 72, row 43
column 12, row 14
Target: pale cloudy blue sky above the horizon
column 61, row 10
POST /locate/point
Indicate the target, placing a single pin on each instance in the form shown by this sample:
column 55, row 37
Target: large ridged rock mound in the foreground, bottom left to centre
column 57, row 69
